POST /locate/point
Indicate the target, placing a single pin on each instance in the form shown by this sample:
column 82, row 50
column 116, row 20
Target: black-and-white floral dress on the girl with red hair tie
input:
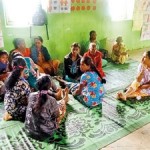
column 15, row 100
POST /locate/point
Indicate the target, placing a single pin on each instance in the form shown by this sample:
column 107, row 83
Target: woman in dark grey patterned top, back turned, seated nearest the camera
column 44, row 113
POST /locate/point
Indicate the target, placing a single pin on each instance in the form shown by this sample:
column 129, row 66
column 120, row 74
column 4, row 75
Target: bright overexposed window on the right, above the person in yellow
column 121, row 9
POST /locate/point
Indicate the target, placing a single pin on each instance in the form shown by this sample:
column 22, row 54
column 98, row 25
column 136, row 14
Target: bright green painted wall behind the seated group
column 65, row 29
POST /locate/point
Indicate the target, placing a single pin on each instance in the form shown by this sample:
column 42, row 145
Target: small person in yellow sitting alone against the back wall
column 119, row 54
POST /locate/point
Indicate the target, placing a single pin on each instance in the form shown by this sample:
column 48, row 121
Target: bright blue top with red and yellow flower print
column 93, row 90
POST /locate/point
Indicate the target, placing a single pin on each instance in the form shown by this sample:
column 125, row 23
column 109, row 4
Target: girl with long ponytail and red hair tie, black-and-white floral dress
column 17, row 91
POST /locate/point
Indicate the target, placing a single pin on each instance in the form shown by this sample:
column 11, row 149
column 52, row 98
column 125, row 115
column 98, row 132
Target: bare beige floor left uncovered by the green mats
column 139, row 139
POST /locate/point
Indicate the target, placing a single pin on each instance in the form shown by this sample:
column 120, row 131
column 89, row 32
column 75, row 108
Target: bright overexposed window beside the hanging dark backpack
column 18, row 13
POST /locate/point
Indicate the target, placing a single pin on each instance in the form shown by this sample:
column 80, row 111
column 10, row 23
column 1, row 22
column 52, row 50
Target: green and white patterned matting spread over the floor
column 83, row 128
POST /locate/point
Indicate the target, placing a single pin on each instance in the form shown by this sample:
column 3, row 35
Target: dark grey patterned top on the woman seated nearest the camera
column 41, row 122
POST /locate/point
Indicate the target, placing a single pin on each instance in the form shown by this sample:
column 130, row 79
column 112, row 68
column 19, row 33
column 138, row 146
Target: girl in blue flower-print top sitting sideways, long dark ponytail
column 90, row 90
